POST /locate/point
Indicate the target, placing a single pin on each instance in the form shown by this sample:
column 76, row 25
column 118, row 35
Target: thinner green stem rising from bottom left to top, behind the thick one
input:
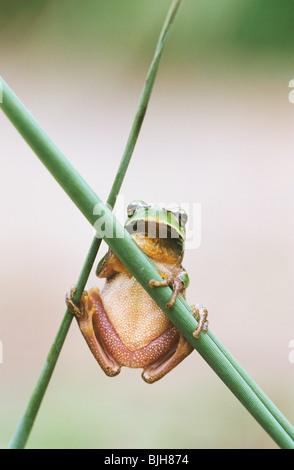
column 25, row 425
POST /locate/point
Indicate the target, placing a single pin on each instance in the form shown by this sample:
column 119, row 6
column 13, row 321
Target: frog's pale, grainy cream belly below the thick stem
column 135, row 316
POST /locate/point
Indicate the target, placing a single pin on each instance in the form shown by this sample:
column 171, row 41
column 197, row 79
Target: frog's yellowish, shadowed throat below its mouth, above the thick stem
column 164, row 250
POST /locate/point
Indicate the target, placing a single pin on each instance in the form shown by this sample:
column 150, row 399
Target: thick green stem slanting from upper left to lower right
column 215, row 354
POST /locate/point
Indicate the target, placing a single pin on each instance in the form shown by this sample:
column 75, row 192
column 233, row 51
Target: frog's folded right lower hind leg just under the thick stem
column 161, row 367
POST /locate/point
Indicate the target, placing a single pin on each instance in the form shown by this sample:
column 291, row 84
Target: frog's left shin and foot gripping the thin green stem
column 89, row 306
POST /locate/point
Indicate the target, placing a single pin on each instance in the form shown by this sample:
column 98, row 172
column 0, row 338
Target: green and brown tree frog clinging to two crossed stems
column 122, row 324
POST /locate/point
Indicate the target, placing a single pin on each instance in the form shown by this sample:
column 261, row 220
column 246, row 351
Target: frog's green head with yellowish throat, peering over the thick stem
column 158, row 227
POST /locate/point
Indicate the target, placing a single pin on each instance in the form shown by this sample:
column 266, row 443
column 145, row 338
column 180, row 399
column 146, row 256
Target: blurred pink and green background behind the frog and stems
column 218, row 131
